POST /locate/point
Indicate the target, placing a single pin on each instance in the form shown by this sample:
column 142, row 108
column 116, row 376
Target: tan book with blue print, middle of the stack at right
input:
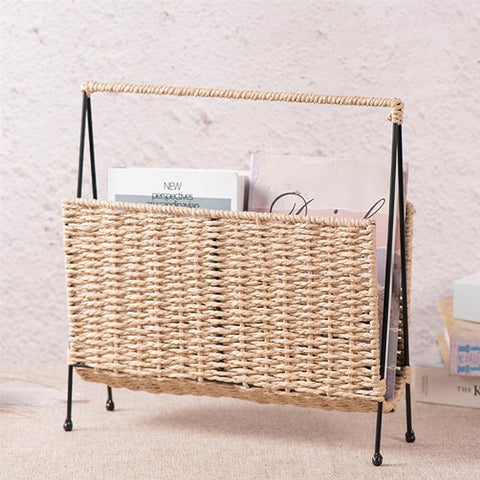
column 462, row 341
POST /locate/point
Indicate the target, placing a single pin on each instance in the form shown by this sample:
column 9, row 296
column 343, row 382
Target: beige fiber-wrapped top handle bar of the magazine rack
column 395, row 104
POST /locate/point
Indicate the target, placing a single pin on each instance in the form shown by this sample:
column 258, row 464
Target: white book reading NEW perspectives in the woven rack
column 193, row 188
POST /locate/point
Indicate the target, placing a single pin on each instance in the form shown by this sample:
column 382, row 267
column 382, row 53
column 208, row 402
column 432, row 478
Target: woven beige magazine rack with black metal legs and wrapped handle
column 271, row 308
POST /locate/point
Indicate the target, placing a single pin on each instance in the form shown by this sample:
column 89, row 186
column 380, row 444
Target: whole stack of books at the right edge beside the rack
column 459, row 382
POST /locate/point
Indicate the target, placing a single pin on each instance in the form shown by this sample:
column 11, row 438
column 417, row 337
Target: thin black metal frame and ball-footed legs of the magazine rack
column 396, row 169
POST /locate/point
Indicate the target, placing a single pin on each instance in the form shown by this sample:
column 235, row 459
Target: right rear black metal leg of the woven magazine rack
column 409, row 435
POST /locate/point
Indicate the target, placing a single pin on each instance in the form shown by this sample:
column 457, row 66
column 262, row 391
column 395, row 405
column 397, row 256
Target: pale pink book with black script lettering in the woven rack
column 332, row 187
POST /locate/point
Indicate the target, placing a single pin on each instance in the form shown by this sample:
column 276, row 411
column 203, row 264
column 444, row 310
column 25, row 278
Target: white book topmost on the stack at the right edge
column 466, row 298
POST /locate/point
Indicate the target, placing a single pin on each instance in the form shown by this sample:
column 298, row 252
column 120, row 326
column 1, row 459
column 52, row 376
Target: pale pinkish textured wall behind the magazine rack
column 423, row 52
